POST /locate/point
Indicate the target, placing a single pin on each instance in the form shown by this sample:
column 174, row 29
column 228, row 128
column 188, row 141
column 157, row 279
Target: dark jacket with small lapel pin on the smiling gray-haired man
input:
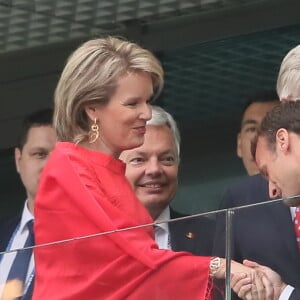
column 194, row 235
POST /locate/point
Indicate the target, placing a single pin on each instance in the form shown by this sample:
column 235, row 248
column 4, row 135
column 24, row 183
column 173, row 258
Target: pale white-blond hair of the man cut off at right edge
column 288, row 81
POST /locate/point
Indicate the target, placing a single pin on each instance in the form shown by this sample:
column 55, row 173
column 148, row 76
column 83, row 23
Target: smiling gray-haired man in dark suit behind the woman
column 152, row 170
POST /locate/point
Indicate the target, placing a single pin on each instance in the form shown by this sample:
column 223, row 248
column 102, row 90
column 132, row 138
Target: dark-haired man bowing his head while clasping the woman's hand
column 276, row 152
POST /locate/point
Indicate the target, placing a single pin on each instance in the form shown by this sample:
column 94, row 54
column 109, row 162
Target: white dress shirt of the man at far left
column 17, row 241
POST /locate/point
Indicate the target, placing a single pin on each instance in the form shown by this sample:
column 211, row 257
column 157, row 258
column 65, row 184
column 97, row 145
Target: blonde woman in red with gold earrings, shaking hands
column 102, row 104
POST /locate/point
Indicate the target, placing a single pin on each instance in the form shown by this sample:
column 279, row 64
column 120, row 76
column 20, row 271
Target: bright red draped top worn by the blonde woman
column 82, row 193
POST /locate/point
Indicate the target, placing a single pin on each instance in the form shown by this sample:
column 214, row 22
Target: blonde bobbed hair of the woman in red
column 90, row 78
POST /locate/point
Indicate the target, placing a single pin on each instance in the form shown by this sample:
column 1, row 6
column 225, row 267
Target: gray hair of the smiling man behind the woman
column 161, row 117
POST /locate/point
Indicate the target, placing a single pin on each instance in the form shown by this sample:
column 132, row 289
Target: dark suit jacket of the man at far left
column 7, row 227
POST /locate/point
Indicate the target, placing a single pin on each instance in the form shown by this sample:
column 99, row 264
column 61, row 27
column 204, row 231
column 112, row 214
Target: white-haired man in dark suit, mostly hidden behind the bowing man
column 281, row 241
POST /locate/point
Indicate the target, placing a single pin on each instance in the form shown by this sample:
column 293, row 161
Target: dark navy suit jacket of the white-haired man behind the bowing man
column 264, row 234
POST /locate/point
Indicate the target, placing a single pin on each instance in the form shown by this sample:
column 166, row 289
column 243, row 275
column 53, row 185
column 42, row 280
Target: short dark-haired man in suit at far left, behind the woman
column 36, row 142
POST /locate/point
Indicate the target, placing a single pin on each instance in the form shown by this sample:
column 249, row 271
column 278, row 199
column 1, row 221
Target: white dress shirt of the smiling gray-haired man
column 162, row 234
